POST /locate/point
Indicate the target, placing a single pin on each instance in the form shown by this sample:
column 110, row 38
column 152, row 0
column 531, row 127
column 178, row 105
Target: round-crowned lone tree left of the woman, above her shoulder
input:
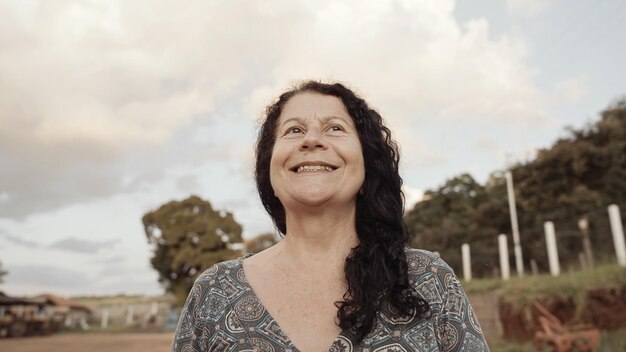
column 189, row 236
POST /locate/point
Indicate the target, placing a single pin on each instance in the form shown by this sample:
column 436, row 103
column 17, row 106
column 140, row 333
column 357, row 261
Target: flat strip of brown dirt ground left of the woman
column 101, row 342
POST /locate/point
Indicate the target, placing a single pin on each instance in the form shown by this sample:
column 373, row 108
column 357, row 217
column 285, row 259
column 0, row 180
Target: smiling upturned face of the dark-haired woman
column 317, row 157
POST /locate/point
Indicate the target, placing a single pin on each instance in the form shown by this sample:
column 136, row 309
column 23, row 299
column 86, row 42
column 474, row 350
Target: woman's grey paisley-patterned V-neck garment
column 222, row 313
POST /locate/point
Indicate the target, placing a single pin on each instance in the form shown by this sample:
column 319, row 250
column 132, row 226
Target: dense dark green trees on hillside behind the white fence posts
column 579, row 176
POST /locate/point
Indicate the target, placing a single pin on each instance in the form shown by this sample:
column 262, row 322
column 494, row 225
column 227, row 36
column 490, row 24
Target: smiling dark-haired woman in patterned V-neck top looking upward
column 341, row 279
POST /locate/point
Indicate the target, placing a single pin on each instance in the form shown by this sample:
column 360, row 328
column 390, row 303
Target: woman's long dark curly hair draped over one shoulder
column 376, row 270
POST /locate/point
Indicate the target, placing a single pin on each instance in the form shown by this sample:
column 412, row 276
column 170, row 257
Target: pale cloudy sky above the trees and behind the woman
column 109, row 109
